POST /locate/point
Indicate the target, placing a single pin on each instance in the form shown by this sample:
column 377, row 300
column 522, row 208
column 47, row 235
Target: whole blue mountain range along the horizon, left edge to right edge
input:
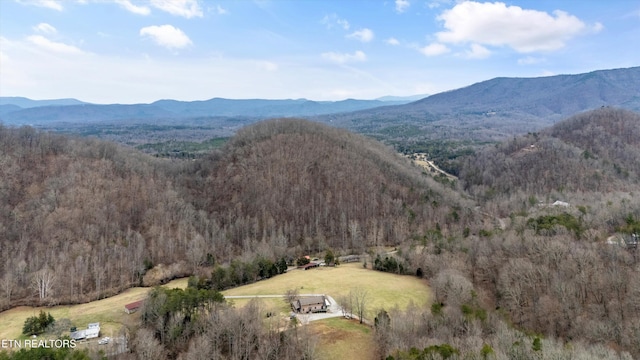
column 491, row 110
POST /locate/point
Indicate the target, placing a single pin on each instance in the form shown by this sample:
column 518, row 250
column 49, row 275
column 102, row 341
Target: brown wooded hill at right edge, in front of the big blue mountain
column 596, row 151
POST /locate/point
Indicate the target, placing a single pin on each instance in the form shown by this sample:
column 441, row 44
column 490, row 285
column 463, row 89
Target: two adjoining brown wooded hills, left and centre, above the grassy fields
column 83, row 218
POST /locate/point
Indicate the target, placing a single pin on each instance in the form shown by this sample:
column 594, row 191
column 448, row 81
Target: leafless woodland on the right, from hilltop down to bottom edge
column 550, row 263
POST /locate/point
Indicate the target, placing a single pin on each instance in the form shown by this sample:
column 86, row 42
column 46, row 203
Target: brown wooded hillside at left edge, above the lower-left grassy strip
column 79, row 218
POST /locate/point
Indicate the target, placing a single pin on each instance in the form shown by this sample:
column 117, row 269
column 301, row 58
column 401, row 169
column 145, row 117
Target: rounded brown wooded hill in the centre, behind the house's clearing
column 312, row 185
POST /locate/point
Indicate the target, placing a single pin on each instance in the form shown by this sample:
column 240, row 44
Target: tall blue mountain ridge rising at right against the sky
column 555, row 96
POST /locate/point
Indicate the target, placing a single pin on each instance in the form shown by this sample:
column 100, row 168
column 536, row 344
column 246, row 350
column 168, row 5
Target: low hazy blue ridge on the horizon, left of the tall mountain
column 20, row 111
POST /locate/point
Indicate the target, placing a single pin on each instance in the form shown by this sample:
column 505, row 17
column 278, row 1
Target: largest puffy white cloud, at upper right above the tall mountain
column 497, row 24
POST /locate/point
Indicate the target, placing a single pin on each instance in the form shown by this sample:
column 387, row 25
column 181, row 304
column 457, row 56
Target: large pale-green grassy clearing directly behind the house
column 385, row 290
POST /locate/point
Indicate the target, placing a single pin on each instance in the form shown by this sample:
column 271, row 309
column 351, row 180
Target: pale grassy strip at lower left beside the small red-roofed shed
column 108, row 312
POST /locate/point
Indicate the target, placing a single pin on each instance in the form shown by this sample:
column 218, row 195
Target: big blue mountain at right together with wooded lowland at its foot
column 500, row 107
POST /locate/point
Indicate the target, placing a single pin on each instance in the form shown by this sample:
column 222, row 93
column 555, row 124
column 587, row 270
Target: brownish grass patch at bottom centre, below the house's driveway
column 339, row 338
